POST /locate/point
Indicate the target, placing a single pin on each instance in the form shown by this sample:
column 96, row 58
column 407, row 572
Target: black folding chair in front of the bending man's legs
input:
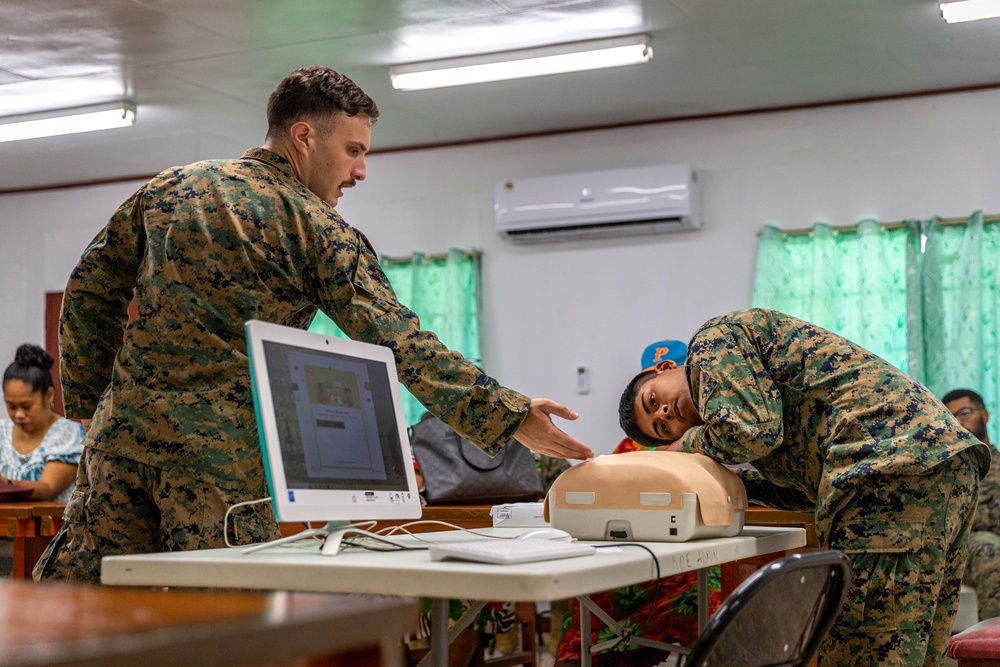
column 778, row 616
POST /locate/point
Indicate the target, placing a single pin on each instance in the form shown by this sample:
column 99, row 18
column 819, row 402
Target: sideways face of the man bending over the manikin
column 663, row 406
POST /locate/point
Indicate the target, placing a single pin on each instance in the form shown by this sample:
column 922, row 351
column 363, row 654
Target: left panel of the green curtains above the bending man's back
column 853, row 283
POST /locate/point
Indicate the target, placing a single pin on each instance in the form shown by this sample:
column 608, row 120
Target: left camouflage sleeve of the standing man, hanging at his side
column 95, row 308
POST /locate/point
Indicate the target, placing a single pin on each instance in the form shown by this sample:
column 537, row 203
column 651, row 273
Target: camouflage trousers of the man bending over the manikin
column 907, row 538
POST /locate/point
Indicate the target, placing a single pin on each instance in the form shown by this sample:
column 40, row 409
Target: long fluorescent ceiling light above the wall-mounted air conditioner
column 558, row 59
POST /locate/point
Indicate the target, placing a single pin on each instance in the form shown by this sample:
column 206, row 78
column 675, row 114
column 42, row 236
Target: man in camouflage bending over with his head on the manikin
column 833, row 429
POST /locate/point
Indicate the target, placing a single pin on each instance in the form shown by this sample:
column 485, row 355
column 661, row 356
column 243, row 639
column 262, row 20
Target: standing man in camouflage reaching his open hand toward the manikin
column 202, row 249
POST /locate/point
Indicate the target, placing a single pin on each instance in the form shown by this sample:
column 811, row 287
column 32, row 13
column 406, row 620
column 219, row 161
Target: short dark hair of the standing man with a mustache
column 317, row 93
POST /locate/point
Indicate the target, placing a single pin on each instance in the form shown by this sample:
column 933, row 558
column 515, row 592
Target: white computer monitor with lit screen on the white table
column 331, row 427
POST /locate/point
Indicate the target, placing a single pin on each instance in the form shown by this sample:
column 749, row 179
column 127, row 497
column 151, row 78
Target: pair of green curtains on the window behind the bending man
column 923, row 295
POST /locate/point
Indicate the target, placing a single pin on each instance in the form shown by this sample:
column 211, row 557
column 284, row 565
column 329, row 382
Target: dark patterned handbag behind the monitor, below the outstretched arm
column 456, row 472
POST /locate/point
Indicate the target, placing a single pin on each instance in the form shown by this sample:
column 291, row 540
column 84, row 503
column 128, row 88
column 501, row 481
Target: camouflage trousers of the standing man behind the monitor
column 121, row 506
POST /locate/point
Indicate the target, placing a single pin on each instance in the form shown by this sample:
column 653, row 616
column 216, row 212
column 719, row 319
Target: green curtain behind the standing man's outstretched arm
column 444, row 291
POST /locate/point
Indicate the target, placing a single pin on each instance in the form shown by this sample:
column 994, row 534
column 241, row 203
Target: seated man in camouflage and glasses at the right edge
column 982, row 571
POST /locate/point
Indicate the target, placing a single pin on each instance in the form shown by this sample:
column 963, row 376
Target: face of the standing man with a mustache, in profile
column 333, row 162
